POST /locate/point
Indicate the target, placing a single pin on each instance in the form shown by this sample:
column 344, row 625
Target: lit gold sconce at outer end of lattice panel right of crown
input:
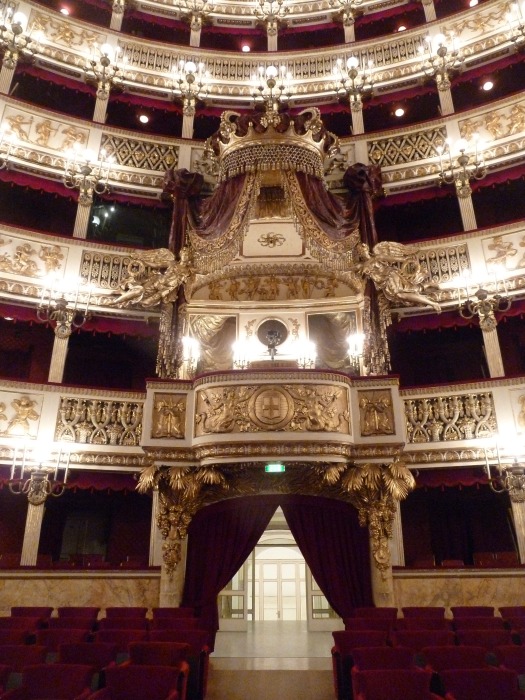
column 463, row 168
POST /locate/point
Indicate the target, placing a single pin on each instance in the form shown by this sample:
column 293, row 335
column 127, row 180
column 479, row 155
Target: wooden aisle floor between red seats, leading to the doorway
column 272, row 661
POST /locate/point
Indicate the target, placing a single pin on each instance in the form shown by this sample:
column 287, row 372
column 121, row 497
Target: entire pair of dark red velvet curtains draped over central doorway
column 335, row 547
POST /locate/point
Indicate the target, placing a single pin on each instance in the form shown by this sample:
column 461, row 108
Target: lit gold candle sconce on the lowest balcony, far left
column 34, row 479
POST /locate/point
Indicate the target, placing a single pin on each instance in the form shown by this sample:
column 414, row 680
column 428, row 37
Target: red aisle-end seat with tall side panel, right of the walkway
column 345, row 641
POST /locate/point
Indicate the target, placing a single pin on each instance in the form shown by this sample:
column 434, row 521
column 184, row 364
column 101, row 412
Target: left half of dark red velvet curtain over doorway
column 220, row 539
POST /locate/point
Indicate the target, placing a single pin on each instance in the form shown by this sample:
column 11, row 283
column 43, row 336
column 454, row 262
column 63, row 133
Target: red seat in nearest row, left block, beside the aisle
column 141, row 682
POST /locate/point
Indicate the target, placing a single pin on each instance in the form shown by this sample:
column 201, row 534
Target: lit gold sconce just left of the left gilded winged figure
column 66, row 315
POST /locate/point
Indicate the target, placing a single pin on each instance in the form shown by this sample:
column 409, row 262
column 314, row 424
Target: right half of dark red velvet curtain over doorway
column 335, row 548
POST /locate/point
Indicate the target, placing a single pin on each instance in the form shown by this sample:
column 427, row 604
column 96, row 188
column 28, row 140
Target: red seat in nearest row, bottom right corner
column 480, row 684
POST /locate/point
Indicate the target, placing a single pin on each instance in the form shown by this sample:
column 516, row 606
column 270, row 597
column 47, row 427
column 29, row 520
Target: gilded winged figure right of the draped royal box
column 396, row 272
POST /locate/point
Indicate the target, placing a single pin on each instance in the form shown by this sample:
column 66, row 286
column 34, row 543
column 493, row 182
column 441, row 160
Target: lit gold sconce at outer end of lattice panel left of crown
column 87, row 175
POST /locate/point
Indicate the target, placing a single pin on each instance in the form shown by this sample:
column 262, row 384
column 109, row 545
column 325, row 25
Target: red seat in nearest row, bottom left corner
column 52, row 682
